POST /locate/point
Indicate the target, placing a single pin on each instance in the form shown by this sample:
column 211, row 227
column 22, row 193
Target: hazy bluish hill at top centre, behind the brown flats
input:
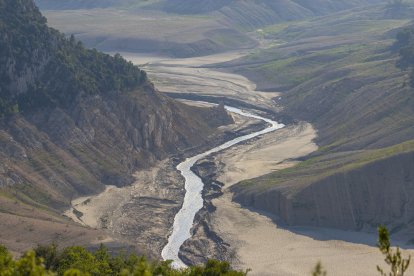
column 259, row 13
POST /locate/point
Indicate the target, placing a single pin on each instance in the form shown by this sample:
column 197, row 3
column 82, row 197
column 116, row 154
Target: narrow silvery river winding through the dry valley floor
column 193, row 200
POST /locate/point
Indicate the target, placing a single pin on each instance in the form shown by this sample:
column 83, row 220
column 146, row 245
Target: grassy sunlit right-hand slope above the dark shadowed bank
column 339, row 73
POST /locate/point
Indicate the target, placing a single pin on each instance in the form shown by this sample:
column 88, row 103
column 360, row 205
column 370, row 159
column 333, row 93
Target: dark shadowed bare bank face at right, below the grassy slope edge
column 381, row 192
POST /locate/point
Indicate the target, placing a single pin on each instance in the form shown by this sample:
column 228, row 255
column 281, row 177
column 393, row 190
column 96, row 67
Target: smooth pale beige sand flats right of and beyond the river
column 254, row 239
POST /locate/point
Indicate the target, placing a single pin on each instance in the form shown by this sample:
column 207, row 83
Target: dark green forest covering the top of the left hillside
column 31, row 52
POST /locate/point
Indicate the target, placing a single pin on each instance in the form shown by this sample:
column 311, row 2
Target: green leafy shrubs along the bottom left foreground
column 77, row 261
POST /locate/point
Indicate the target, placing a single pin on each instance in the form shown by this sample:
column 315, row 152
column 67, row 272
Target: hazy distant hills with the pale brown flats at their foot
column 180, row 28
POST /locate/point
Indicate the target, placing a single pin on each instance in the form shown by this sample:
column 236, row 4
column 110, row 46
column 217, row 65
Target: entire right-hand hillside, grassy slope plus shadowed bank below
column 344, row 80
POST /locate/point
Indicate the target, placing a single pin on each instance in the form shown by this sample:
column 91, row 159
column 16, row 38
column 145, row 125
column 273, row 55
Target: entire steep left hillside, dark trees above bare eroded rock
column 73, row 120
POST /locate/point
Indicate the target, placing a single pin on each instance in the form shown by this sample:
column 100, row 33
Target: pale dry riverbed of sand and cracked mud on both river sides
column 145, row 211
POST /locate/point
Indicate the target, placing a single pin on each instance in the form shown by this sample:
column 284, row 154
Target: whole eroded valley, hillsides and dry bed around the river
column 100, row 142
